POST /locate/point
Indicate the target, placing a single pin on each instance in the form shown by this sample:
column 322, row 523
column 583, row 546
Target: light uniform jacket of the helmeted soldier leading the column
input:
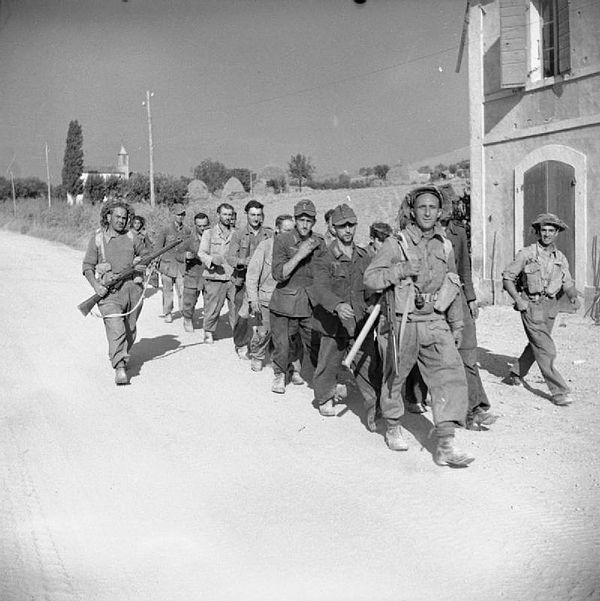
column 436, row 262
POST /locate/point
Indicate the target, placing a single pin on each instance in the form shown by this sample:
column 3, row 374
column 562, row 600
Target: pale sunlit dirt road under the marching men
column 196, row 482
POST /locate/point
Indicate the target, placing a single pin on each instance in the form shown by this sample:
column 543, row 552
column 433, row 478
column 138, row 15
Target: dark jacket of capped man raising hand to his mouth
column 290, row 296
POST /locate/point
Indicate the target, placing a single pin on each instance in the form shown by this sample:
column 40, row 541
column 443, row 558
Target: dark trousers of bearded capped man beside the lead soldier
column 366, row 369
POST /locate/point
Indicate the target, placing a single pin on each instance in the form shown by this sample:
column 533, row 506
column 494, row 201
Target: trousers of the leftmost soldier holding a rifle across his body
column 121, row 330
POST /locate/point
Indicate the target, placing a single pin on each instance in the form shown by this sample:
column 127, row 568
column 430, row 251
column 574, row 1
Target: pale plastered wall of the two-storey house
column 508, row 124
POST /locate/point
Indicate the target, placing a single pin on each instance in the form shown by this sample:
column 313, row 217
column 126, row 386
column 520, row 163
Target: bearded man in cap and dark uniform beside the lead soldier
column 340, row 311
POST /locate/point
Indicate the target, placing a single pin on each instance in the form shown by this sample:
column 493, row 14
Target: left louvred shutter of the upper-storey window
column 513, row 38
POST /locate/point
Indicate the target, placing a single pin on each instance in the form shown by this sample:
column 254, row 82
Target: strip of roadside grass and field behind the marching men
column 73, row 225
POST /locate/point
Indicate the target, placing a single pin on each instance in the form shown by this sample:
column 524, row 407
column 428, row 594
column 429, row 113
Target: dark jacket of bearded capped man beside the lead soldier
column 339, row 279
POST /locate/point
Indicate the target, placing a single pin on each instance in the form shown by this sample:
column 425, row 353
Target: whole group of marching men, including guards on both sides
column 399, row 314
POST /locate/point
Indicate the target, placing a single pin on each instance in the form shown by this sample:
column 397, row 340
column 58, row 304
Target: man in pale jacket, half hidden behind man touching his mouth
column 260, row 285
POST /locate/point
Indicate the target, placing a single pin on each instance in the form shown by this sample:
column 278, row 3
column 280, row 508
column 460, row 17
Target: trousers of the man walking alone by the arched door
column 538, row 322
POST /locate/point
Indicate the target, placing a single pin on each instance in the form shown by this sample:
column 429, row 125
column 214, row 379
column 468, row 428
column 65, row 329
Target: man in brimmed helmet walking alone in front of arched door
column 535, row 280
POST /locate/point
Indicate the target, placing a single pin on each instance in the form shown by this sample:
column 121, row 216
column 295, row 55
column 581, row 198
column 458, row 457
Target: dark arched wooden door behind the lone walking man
column 549, row 187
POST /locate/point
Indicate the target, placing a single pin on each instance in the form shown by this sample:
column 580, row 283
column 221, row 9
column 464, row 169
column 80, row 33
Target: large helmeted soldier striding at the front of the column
column 426, row 324
